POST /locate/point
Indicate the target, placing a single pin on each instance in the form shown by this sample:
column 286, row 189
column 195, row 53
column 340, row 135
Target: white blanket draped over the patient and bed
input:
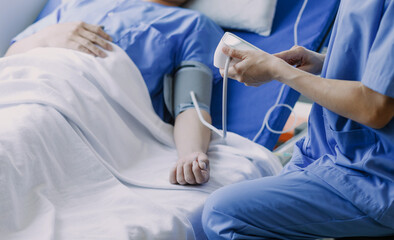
column 84, row 156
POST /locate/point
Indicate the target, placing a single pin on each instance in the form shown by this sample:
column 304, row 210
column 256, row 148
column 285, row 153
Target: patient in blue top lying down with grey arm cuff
column 158, row 36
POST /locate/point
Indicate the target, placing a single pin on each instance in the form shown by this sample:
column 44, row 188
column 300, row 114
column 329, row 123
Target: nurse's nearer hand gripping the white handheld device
column 254, row 67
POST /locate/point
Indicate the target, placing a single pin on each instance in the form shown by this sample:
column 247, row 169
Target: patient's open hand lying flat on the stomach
column 79, row 36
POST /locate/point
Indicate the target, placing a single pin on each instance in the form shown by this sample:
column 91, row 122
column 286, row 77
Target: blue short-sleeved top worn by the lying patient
column 156, row 37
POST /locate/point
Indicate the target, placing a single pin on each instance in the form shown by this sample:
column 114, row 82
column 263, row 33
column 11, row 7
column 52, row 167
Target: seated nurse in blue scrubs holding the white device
column 340, row 181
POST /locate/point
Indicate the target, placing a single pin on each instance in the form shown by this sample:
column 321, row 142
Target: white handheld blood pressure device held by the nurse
column 233, row 41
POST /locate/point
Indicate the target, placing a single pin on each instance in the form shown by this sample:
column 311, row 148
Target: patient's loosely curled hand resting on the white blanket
column 191, row 169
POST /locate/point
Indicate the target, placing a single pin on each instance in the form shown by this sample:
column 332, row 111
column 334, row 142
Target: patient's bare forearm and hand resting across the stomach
column 74, row 35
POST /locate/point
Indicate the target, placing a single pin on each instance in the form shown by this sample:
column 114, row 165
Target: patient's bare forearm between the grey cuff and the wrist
column 190, row 134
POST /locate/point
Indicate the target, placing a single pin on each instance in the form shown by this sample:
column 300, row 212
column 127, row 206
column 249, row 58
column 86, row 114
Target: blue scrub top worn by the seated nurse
column 356, row 160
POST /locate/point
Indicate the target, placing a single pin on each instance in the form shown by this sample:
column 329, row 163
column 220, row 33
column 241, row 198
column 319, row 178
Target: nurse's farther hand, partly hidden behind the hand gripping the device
column 303, row 59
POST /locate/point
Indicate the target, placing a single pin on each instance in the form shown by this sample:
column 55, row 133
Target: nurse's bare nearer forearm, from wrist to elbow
column 350, row 99
